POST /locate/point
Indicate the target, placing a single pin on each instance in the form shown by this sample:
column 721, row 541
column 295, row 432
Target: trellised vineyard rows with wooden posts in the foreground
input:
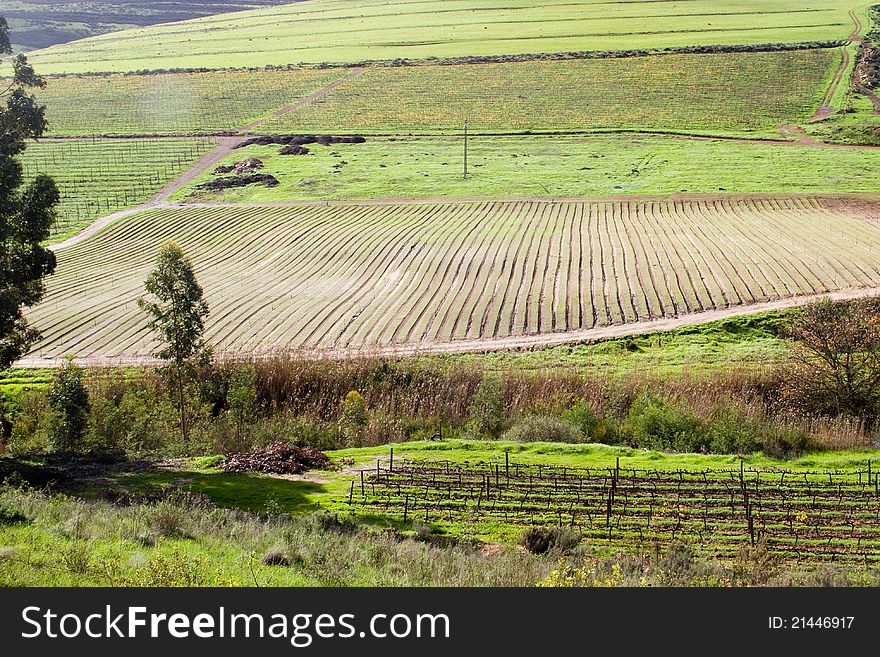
column 799, row 516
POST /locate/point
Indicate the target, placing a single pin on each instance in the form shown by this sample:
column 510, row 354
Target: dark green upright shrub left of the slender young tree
column 69, row 401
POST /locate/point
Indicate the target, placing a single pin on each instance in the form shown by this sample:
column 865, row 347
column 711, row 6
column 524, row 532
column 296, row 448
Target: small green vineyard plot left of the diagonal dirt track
column 97, row 177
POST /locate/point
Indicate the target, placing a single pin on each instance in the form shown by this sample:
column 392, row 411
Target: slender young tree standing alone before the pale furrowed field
column 177, row 313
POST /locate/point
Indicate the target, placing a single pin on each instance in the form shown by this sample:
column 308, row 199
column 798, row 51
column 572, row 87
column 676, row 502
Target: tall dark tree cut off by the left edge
column 26, row 211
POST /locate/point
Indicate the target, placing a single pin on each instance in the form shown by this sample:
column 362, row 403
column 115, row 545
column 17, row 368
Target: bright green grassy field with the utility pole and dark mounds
column 546, row 167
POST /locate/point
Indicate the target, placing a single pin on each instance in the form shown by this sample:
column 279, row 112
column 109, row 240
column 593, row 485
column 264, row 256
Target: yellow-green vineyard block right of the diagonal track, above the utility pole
column 693, row 92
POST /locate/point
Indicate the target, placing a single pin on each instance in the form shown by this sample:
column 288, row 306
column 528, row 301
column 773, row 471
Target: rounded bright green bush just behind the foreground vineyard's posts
column 658, row 424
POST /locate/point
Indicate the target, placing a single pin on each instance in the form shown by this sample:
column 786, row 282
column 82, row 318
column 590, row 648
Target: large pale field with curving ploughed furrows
column 328, row 276
